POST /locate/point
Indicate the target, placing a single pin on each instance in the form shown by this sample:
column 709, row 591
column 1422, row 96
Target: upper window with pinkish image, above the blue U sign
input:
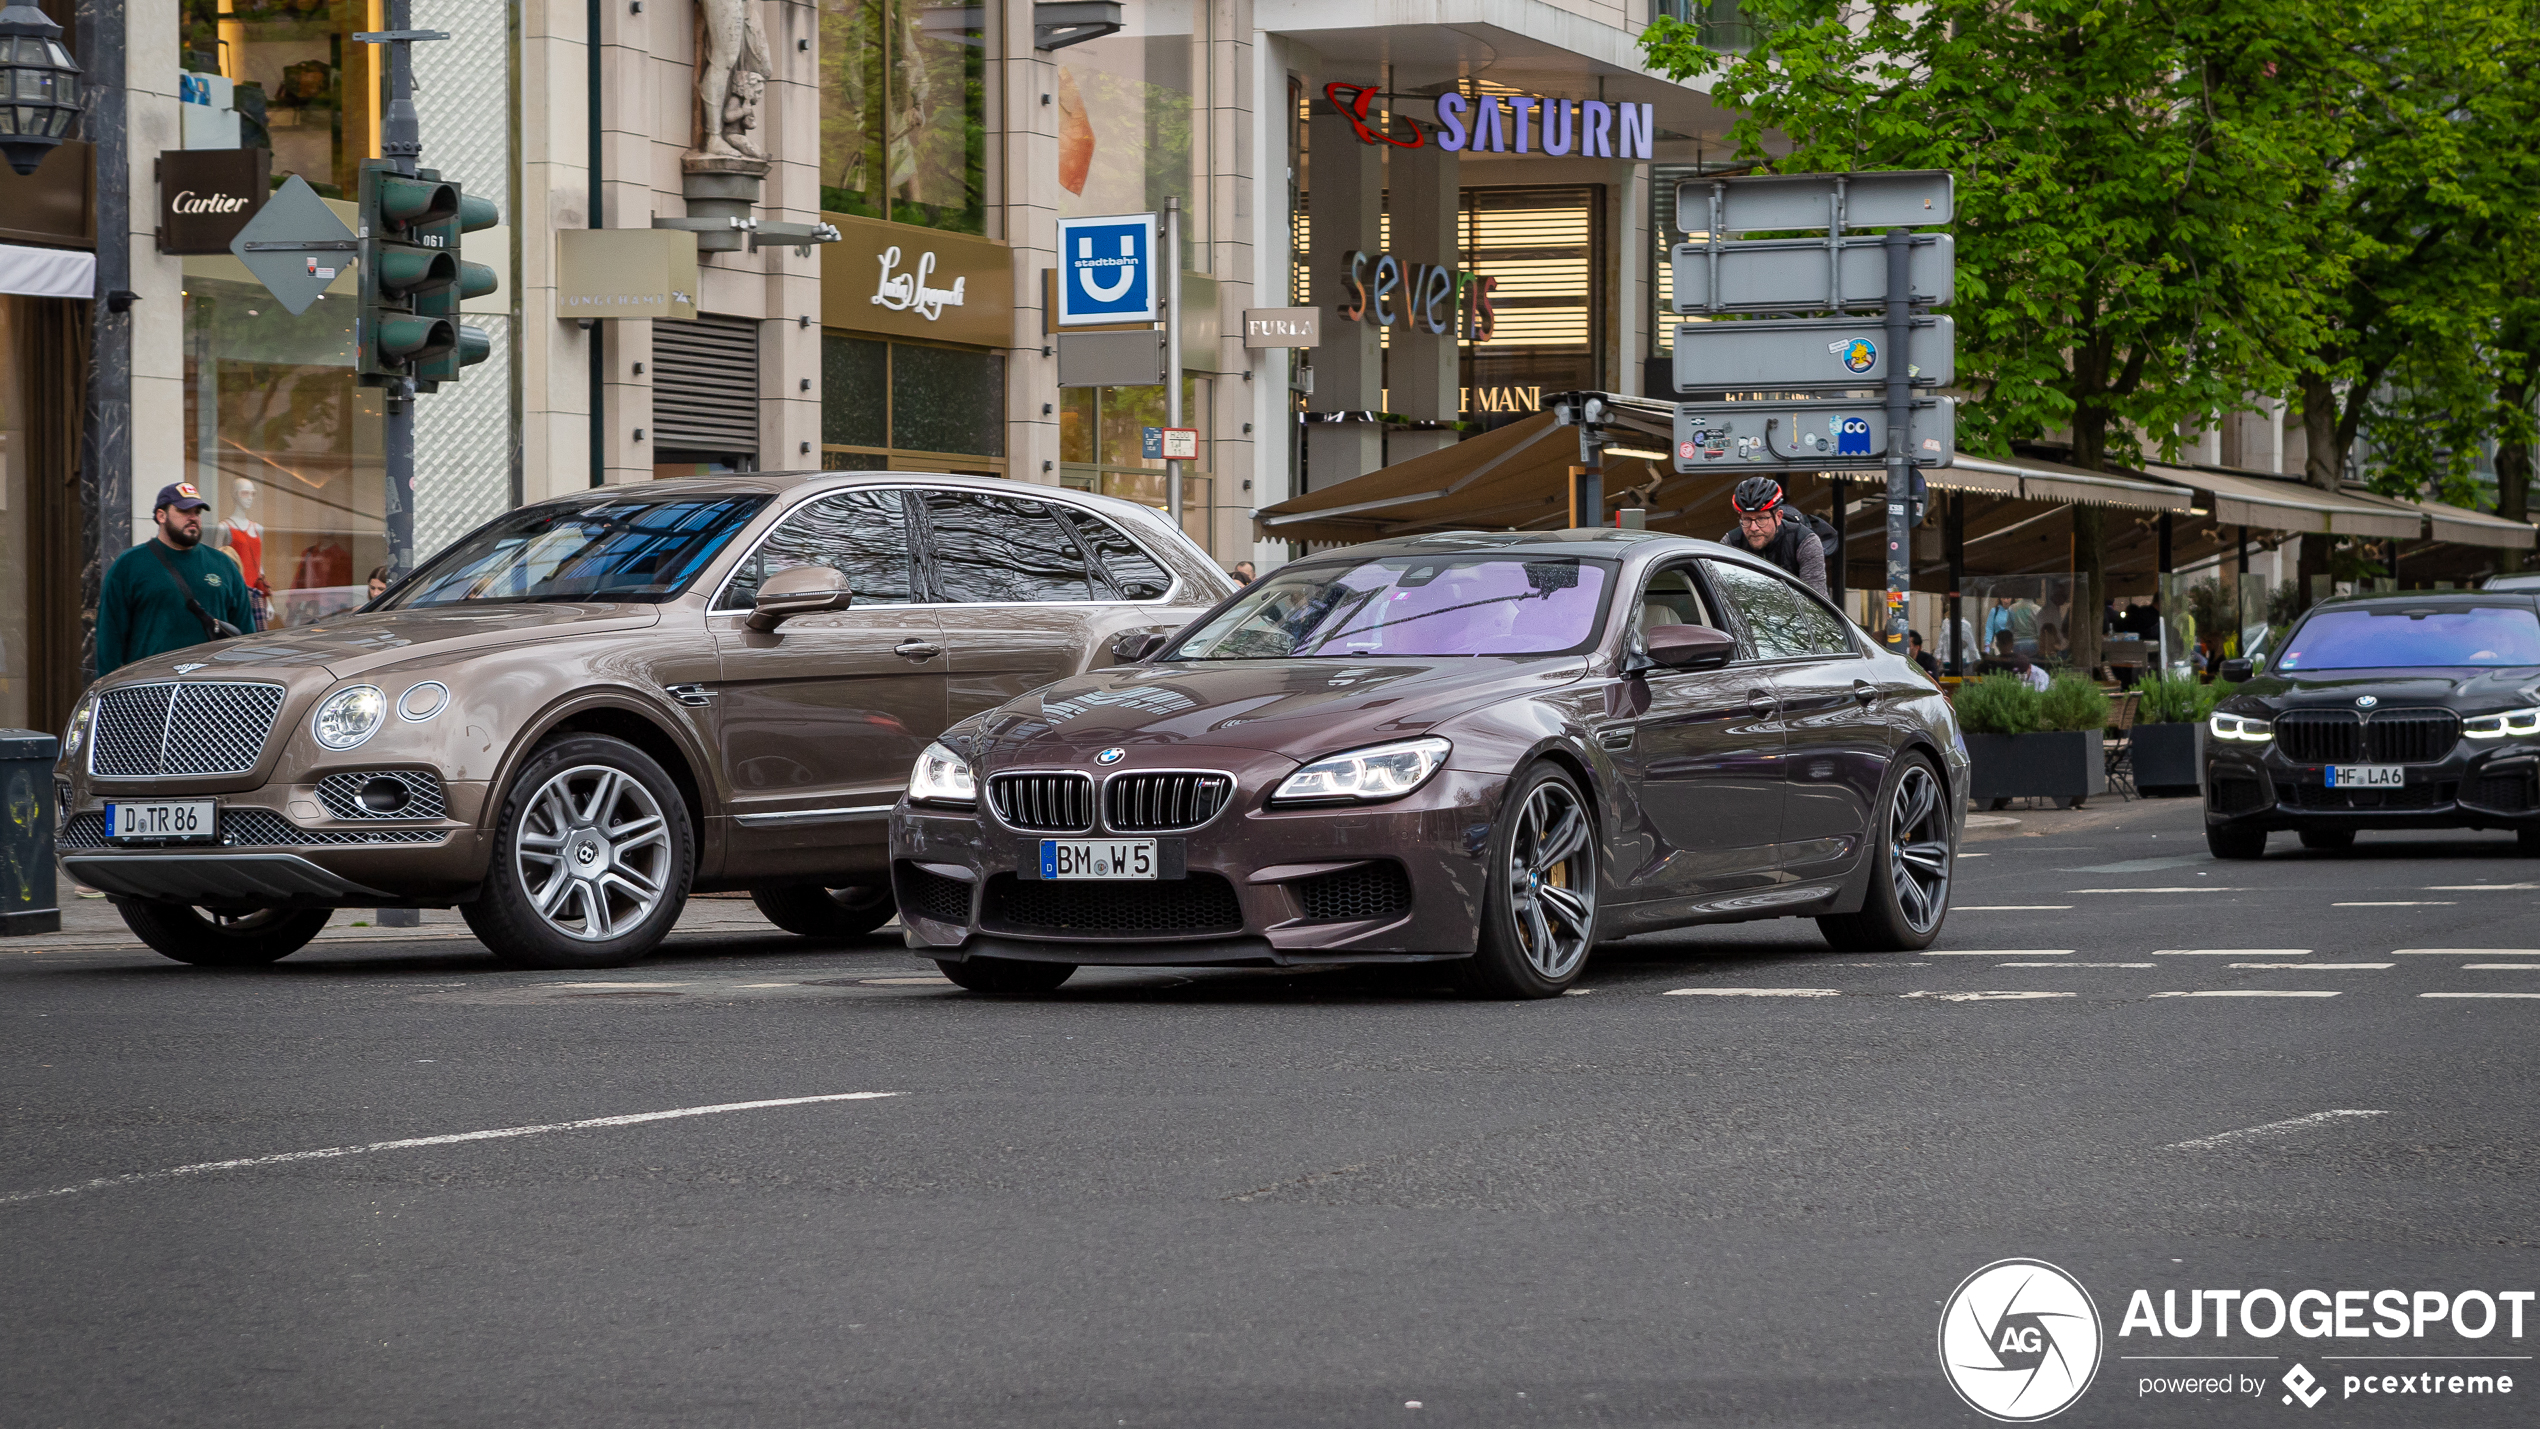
column 1134, row 121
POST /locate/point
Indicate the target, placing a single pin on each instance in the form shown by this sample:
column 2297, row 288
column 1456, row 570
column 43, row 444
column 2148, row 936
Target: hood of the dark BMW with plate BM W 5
column 1281, row 707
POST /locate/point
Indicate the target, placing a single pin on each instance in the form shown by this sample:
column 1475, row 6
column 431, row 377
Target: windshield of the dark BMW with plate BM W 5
column 1411, row 608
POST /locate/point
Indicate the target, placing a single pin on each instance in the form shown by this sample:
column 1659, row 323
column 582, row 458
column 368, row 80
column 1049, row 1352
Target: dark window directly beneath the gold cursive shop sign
column 908, row 407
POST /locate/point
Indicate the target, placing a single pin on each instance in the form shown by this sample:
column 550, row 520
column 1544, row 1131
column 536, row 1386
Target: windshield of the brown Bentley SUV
column 606, row 550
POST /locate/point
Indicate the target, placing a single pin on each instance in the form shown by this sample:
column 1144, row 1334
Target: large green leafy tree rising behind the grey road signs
column 2130, row 179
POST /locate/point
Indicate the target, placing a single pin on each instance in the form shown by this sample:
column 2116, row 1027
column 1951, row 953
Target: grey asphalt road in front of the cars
column 1726, row 1184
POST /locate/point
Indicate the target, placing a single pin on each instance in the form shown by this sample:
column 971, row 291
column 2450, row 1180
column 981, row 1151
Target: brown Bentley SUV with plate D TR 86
column 596, row 707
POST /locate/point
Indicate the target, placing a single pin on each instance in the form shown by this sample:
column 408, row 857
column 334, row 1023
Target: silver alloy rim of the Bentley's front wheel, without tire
column 593, row 852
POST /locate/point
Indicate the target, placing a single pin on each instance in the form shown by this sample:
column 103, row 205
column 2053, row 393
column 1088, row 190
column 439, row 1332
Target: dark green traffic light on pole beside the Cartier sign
column 405, row 265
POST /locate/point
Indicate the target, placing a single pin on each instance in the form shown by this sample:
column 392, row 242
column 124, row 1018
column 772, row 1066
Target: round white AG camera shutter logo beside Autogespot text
column 2021, row 1341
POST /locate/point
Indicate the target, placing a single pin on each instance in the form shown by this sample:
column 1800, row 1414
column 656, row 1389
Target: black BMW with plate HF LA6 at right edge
column 2384, row 712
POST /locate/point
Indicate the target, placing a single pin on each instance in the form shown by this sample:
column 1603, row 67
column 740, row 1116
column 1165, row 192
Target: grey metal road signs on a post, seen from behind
column 1815, row 364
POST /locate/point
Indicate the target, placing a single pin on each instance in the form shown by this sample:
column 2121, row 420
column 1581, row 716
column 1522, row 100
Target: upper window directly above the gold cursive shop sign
column 906, row 113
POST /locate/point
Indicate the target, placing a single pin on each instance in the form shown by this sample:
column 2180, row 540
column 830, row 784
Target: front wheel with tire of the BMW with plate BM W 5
column 1538, row 912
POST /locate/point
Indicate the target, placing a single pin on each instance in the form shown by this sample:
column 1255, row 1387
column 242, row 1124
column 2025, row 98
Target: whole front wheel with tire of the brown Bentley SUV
column 593, row 859
